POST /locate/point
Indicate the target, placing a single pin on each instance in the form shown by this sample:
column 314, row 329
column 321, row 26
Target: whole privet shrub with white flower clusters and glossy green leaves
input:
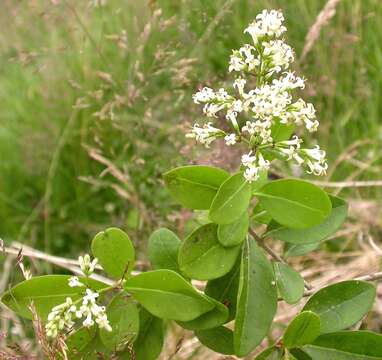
column 242, row 283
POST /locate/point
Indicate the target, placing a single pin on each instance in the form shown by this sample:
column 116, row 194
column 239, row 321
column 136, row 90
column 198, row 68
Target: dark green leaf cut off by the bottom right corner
column 346, row 345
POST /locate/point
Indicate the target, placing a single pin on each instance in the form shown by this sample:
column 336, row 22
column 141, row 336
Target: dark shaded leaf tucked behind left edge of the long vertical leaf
column 225, row 289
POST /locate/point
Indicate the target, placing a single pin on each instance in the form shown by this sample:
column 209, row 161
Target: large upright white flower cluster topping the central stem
column 253, row 114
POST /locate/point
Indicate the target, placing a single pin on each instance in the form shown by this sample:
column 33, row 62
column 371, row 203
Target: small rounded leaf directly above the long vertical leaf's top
column 234, row 233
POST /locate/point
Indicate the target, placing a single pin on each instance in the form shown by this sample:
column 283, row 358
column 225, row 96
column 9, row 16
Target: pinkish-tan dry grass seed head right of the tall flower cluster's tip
column 322, row 19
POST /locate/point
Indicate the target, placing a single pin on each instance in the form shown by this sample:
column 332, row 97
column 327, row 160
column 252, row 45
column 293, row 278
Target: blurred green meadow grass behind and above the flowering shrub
column 95, row 101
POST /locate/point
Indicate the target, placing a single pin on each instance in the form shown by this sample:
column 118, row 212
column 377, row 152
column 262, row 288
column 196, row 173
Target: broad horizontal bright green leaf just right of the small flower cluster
column 165, row 294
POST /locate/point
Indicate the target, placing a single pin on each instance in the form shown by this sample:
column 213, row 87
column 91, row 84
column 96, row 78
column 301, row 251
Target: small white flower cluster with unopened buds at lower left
column 63, row 316
